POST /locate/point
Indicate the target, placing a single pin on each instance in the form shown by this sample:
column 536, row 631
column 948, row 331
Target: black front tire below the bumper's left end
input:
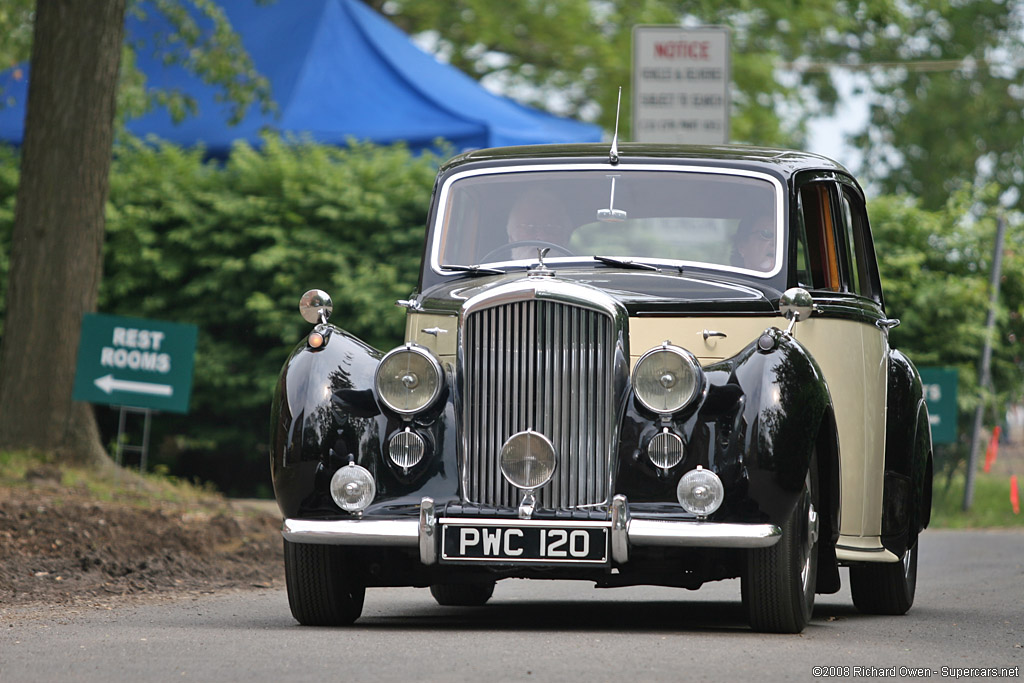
column 324, row 589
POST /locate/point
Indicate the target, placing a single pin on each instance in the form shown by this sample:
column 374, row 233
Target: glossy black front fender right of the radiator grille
column 757, row 428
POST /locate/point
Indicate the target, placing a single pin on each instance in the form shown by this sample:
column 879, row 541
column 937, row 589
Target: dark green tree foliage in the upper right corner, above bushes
column 954, row 114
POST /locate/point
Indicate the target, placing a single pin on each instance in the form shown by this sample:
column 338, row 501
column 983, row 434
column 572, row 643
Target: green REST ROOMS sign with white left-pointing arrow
column 136, row 362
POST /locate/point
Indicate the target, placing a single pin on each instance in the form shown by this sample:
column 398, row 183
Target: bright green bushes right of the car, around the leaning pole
column 936, row 269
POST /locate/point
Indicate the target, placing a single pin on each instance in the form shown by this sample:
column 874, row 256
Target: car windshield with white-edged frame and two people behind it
column 714, row 219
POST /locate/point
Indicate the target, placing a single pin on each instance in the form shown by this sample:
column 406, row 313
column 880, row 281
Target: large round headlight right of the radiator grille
column 667, row 379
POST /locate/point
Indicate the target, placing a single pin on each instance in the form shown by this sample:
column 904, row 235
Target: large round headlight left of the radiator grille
column 409, row 379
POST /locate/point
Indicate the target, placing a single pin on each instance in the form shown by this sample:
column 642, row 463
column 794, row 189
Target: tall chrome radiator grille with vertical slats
column 547, row 367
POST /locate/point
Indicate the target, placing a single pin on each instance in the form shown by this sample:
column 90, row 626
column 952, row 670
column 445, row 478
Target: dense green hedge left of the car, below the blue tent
column 231, row 247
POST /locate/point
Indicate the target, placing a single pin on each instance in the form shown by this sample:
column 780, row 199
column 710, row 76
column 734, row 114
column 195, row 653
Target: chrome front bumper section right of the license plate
column 702, row 535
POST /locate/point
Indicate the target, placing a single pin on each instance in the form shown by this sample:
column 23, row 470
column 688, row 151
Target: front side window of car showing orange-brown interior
column 818, row 221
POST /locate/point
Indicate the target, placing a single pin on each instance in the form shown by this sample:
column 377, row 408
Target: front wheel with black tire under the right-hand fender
column 779, row 585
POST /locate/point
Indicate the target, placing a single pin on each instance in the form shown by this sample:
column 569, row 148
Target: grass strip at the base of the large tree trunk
column 21, row 469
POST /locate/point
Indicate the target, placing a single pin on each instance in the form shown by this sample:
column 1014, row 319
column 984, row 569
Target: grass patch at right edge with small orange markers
column 991, row 505
